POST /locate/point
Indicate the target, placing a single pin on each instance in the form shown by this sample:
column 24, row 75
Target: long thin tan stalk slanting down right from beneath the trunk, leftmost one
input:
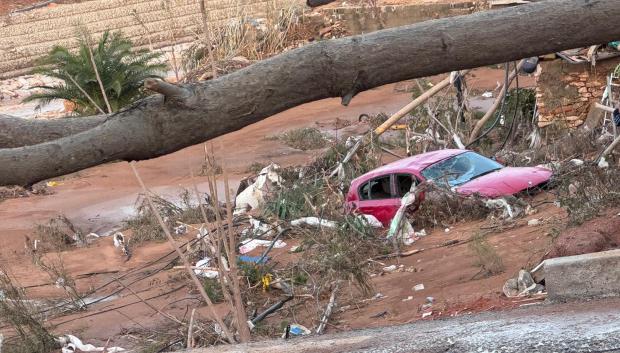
column 183, row 258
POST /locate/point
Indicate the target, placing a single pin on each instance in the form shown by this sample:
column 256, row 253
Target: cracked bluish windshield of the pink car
column 460, row 169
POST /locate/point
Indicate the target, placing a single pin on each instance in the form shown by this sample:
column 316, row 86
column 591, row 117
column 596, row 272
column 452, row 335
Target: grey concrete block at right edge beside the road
column 580, row 277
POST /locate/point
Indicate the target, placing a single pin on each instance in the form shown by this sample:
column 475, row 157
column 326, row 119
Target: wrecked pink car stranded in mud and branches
column 379, row 192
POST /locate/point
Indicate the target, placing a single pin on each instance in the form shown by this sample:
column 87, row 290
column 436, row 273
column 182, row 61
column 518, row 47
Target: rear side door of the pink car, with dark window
column 378, row 198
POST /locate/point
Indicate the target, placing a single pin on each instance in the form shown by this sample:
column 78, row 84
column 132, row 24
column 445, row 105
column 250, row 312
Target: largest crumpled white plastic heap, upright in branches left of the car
column 254, row 194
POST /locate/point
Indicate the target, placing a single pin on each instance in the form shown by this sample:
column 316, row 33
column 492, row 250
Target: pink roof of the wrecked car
column 415, row 163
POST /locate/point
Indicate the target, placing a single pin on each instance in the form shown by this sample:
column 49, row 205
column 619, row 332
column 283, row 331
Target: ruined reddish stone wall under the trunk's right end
column 565, row 91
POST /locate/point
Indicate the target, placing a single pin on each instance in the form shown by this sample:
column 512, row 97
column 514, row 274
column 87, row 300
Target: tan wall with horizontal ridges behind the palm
column 25, row 37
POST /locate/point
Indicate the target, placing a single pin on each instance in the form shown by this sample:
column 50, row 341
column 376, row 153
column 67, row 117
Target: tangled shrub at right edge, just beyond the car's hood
column 583, row 191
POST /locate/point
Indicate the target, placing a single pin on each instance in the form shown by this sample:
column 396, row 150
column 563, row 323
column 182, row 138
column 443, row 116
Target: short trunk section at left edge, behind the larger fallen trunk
column 18, row 132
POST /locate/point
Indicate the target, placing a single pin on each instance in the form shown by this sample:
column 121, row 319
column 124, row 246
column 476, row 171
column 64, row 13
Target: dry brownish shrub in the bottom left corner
column 18, row 312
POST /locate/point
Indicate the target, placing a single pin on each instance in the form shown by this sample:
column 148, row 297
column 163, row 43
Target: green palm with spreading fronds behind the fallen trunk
column 118, row 71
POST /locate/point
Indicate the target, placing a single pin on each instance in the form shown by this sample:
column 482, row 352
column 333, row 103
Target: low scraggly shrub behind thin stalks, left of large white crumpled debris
column 145, row 226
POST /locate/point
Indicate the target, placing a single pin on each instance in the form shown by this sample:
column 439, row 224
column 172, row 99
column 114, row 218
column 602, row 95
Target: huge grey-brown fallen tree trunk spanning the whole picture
column 192, row 114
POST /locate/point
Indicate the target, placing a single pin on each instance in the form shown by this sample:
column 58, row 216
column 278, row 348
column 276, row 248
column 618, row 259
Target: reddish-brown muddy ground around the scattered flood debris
column 98, row 199
